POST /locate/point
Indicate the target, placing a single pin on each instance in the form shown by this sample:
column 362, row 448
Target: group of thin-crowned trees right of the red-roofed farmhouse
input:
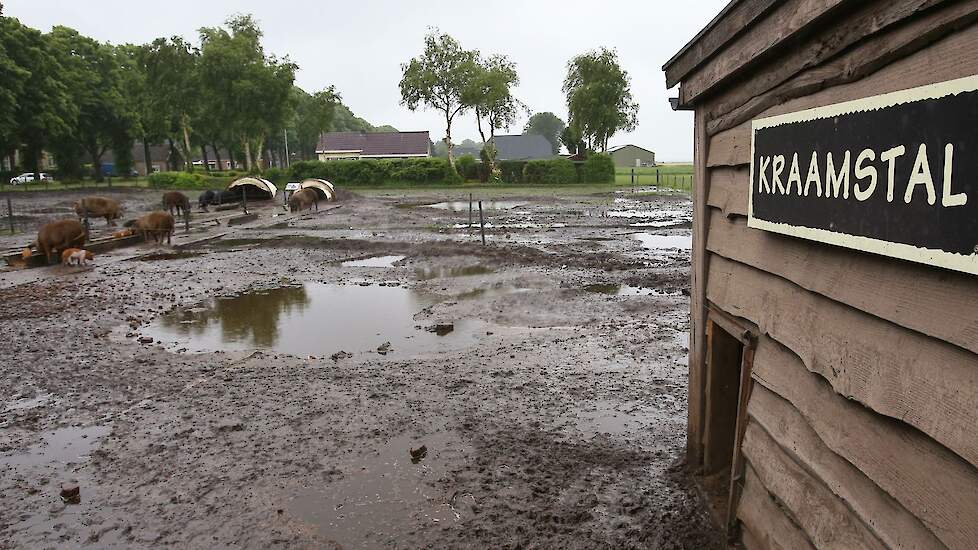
column 452, row 80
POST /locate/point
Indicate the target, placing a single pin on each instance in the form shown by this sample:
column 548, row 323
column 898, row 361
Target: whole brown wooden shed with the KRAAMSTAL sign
column 833, row 369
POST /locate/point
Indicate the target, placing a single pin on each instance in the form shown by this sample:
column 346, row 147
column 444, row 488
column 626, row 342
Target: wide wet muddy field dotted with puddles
column 369, row 376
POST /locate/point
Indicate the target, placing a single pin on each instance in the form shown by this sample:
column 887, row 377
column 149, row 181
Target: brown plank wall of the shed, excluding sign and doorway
column 863, row 422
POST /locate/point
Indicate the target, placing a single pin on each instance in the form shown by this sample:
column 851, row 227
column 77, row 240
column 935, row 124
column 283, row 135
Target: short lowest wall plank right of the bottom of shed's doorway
column 765, row 519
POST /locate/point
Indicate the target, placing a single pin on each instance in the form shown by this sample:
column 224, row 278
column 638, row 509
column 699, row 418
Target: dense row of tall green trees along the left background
column 77, row 98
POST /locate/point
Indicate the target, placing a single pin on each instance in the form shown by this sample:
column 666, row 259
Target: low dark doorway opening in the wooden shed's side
column 728, row 361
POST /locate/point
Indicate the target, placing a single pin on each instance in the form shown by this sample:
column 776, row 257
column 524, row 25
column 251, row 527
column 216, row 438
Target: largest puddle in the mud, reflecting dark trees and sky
column 313, row 319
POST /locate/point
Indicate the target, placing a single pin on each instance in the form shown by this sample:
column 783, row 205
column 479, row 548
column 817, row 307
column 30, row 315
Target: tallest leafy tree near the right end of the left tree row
column 250, row 92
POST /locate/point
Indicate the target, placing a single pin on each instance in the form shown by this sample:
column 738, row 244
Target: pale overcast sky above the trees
column 359, row 47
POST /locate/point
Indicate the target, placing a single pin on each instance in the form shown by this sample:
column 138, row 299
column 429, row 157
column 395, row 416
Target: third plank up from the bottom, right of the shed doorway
column 891, row 522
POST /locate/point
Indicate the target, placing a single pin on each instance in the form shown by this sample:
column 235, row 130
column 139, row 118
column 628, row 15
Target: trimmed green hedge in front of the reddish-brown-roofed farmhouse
column 374, row 172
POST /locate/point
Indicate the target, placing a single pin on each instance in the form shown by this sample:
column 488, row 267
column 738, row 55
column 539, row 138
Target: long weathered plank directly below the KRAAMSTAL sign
column 938, row 303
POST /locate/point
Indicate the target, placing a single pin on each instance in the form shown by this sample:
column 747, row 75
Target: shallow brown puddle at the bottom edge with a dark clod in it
column 384, row 494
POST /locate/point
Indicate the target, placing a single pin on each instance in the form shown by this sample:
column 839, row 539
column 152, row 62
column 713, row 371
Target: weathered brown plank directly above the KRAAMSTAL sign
column 946, row 59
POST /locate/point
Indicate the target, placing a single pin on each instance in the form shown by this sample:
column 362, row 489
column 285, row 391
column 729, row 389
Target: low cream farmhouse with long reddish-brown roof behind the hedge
column 373, row 145
